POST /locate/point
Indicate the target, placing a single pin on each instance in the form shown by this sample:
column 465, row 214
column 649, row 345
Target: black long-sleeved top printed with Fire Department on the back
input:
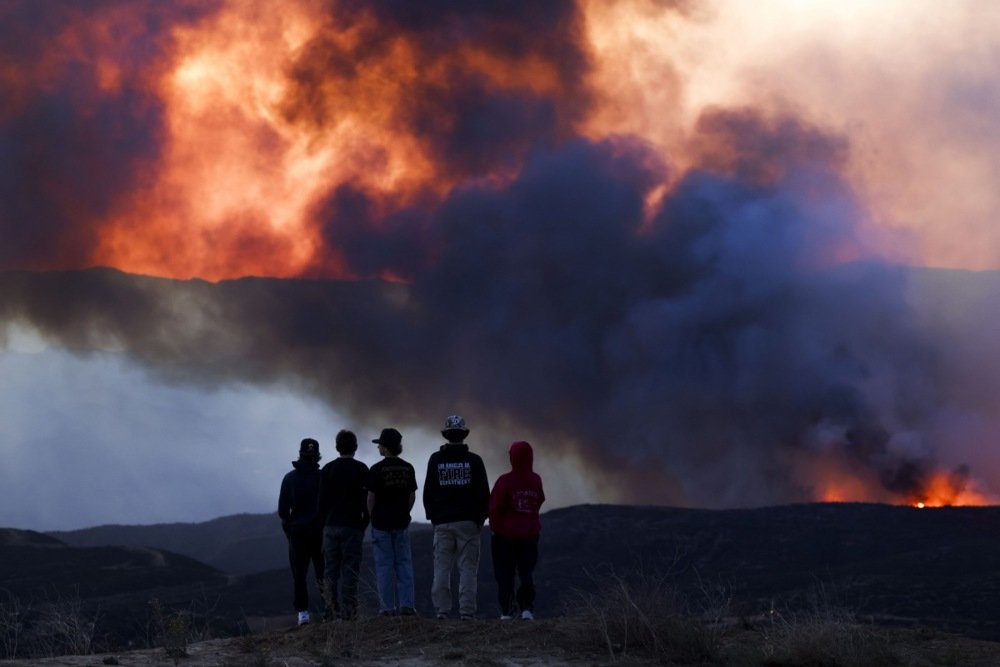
column 456, row 487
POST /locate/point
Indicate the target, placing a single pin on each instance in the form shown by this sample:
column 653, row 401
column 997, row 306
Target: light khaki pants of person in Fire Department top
column 456, row 542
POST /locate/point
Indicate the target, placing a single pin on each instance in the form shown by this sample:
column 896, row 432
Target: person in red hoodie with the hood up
column 515, row 526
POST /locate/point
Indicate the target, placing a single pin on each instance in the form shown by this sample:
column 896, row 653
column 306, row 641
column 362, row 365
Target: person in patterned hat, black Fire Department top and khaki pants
column 456, row 497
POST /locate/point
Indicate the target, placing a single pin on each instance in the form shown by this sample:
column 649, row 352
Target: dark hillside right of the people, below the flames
column 891, row 563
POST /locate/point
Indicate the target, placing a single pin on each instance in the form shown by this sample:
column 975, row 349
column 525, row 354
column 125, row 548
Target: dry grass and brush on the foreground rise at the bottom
column 624, row 621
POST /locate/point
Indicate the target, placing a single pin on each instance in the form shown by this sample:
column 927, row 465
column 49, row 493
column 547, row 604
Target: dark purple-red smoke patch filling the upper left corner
column 71, row 145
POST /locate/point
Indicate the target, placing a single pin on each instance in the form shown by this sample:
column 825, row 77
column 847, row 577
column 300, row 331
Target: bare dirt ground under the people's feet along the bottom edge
column 417, row 642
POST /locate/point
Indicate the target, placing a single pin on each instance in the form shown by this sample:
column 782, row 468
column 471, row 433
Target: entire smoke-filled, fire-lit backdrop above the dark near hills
column 699, row 253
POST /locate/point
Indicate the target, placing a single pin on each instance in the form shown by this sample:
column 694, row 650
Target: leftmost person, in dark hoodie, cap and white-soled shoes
column 297, row 509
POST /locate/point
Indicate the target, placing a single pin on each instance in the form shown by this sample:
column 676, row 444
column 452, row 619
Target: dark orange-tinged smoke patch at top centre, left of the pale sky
column 471, row 120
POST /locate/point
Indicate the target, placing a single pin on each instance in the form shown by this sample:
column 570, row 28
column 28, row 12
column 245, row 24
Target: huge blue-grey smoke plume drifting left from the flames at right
column 700, row 351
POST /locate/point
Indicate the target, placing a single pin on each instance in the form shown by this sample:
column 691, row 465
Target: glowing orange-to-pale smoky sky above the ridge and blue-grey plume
column 217, row 130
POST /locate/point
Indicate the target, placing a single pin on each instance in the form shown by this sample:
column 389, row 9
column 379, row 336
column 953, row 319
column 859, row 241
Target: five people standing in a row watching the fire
column 325, row 511
